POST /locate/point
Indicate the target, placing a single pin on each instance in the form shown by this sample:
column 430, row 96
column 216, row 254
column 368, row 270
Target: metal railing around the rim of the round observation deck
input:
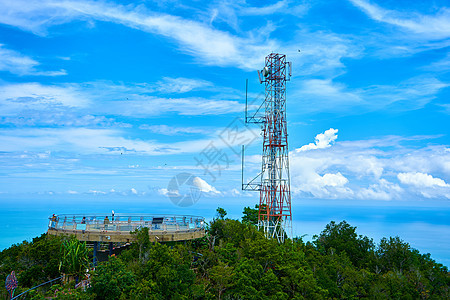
column 126, row 223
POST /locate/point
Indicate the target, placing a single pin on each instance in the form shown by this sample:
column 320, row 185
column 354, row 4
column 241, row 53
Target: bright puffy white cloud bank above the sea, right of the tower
column 369, row 169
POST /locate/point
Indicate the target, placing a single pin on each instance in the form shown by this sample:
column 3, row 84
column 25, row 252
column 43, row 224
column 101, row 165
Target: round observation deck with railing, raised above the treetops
column 118, row 228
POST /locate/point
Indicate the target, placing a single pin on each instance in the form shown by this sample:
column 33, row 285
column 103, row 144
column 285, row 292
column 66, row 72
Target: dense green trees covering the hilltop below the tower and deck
column 235, row 261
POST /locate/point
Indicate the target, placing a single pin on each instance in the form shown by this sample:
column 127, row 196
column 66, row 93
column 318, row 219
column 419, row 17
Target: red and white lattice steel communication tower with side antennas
column 275, row 216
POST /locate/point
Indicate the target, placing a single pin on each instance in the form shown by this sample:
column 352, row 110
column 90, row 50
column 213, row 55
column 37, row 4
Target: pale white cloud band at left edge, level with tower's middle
column 104, row 141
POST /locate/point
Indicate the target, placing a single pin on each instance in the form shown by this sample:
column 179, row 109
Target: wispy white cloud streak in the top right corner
column 430, row 26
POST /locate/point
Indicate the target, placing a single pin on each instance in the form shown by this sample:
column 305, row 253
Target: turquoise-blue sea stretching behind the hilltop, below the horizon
column 426, row 228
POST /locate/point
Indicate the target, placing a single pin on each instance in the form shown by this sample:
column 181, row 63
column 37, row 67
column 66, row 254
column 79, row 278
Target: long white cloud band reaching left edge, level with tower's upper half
column 106, row 98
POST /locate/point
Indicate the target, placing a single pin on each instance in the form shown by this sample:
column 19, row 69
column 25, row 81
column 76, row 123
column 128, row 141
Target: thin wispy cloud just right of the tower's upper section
column 328, row 95
